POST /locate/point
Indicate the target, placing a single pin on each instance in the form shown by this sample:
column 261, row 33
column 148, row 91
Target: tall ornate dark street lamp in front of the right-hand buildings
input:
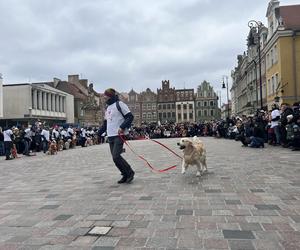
column 256, row 27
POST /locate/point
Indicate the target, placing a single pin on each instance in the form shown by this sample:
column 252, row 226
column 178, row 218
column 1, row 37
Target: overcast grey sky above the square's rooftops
column 125, row 43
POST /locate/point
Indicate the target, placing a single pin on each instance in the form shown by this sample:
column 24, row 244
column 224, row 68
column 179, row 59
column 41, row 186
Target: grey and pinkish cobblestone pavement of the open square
column 250, row 199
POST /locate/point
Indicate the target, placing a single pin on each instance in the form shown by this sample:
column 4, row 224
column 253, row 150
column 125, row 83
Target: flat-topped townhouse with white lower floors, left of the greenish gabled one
column 185, row 105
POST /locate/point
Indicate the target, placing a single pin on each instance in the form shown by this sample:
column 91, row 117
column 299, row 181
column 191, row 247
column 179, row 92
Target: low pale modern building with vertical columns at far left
column 25, row 103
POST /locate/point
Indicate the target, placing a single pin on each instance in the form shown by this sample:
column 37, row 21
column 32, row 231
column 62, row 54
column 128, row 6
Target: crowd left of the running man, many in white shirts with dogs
column 38, row 137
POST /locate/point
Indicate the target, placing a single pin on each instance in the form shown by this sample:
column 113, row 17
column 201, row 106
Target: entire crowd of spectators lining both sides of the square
column 279, row 126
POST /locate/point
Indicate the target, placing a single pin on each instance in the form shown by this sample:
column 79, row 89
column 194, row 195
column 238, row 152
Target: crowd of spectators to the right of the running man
column 279, row 126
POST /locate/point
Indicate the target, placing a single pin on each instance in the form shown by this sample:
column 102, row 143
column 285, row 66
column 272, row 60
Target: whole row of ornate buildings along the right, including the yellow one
column 279, row 46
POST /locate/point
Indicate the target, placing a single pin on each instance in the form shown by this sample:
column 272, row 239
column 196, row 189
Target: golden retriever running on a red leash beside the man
column 194, row 153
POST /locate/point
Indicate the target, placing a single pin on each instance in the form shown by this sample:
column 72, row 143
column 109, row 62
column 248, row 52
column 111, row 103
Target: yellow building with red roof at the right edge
column 282, row 54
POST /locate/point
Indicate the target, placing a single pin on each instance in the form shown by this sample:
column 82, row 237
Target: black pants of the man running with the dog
column 116, row 149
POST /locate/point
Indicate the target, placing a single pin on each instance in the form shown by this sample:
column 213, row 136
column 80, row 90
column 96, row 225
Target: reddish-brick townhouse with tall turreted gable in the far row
column 166, row 98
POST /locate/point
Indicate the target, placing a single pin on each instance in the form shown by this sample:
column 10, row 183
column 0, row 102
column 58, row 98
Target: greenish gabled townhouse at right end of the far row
column 206, row 103
